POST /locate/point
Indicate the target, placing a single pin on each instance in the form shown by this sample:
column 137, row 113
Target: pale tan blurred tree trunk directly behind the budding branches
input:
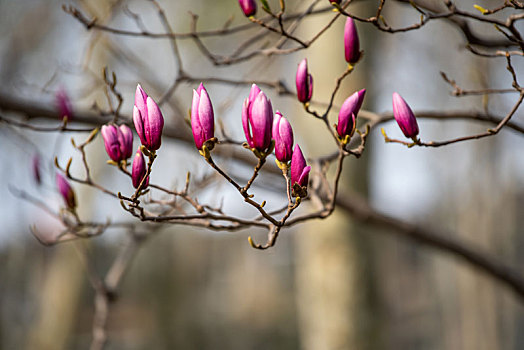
column 331, row 284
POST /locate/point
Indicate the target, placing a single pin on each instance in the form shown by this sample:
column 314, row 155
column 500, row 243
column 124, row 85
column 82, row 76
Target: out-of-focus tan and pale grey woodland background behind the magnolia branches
column 332, row 284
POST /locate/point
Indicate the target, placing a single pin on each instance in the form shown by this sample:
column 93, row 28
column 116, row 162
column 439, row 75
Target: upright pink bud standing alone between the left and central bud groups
column 202, row 117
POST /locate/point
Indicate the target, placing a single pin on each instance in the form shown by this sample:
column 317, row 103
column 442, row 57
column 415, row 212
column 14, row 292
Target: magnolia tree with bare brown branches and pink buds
column 269, row 137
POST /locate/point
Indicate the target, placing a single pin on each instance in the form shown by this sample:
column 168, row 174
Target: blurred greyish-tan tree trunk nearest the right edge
column 484, row 217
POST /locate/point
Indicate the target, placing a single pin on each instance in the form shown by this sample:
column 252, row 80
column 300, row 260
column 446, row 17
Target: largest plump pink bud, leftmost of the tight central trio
column 257, row 119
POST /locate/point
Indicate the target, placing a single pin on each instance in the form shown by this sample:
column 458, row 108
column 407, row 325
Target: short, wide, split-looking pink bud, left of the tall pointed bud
column 118, row 141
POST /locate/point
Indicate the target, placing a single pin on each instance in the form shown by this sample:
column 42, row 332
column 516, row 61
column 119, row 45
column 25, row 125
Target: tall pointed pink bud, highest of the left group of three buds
column 148, row 120
